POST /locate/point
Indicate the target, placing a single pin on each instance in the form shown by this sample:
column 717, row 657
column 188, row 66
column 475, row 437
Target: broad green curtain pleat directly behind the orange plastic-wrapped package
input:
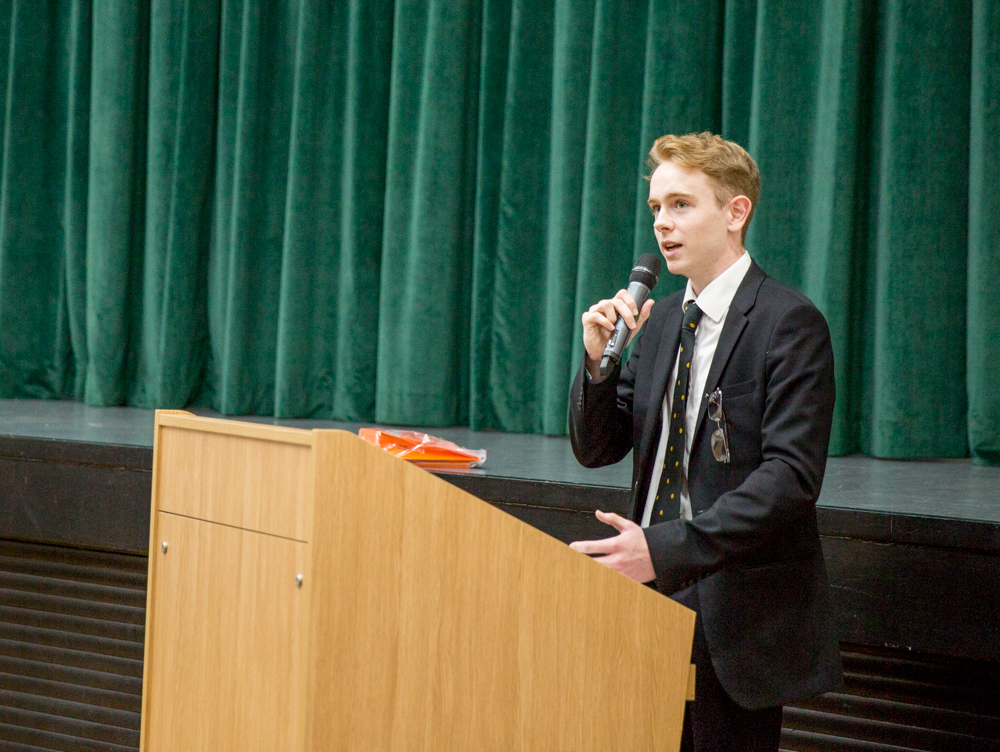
column 425, row 296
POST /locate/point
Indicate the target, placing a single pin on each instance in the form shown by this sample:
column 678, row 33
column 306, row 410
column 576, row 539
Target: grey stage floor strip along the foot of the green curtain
column 953, row 490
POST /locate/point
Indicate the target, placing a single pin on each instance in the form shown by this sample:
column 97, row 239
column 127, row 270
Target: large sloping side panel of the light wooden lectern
column 458, row 627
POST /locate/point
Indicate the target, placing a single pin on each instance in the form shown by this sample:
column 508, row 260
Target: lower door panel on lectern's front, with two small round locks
column 225, row 662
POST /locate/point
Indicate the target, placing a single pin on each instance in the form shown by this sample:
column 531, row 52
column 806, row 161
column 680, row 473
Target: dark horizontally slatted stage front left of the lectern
column 71, row 648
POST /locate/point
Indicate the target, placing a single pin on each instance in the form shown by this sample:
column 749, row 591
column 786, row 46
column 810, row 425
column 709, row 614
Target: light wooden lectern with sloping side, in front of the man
column 307, row 591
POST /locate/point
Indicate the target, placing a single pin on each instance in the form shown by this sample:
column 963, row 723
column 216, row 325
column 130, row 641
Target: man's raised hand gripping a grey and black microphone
column 609, row 325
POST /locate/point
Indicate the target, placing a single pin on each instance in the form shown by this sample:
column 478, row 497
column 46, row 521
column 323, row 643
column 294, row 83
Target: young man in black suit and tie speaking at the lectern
column 727, row 402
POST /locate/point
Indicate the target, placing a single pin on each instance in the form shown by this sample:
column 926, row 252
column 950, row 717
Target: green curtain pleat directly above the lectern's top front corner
column 310, row 262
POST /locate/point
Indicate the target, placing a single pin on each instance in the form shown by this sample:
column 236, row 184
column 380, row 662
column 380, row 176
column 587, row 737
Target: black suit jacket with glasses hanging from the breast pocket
column 753, row 545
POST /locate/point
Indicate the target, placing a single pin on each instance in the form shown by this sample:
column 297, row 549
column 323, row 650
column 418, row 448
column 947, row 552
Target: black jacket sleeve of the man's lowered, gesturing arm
column 794, row 434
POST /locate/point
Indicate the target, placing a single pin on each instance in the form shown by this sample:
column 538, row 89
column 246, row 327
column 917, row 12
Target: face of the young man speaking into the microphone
column 691, row 228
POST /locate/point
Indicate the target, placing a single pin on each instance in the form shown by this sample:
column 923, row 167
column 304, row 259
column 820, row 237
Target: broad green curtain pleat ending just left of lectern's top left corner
column 116, row 204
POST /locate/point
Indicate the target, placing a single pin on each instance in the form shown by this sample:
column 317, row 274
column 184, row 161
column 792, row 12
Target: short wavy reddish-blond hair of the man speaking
column 731, row 170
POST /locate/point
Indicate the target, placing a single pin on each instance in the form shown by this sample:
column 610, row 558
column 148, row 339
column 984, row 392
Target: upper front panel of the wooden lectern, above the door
column 256, row 481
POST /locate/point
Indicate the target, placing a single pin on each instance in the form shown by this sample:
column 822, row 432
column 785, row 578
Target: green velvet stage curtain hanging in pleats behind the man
column 397, row 210
